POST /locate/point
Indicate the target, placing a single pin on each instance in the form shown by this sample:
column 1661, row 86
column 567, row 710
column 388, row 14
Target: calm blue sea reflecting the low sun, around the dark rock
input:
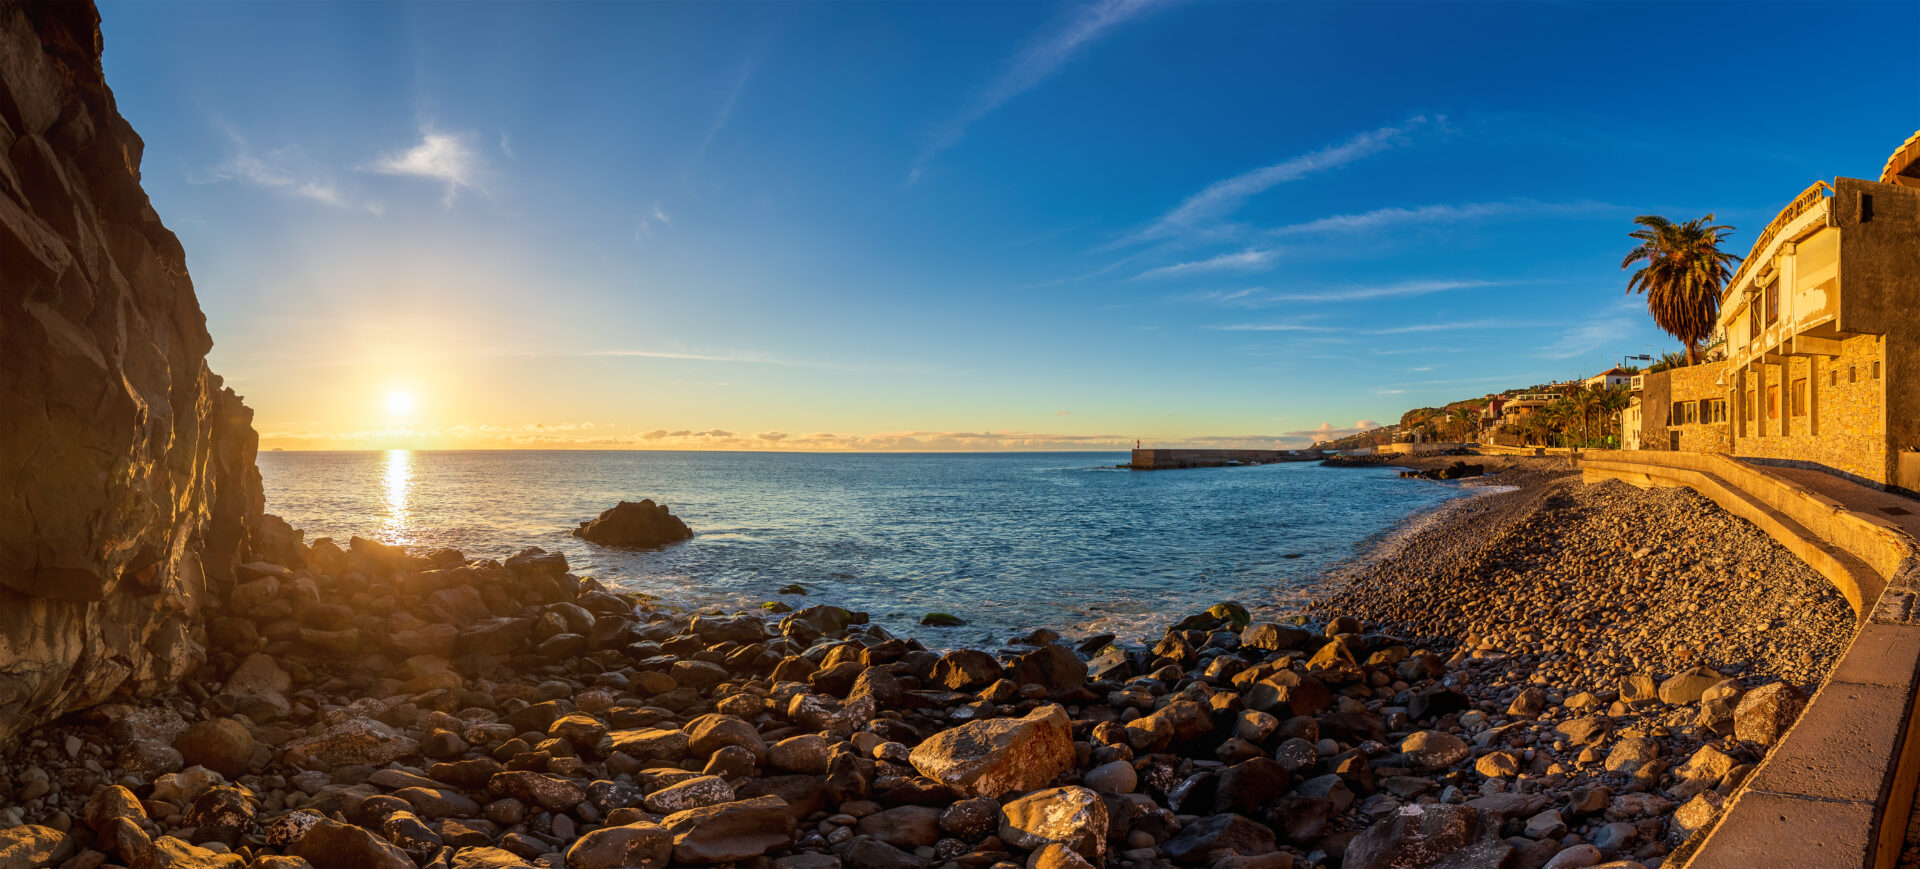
column 1005, row 542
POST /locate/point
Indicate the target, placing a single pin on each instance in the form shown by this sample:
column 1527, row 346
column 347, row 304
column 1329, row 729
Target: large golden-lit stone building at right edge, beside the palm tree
column 1823, row 341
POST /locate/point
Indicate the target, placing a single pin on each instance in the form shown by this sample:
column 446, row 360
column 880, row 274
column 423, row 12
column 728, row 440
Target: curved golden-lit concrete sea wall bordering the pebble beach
column 1852, row 763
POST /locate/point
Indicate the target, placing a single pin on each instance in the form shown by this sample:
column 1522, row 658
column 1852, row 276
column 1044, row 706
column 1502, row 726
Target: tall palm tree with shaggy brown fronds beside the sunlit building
column 1683, row 275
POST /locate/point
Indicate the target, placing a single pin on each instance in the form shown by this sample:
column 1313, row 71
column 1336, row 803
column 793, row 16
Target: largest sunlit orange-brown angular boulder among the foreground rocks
column 1001, row 755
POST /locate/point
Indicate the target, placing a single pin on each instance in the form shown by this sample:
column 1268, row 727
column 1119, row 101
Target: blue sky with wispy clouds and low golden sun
column 955, row 225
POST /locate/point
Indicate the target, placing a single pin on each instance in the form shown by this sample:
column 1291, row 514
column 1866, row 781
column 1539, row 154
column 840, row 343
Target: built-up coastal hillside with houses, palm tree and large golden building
column 1804, row 352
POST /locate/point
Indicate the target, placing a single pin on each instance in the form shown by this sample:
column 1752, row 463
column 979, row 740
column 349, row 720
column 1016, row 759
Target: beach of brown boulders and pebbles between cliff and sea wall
column 1548, row 674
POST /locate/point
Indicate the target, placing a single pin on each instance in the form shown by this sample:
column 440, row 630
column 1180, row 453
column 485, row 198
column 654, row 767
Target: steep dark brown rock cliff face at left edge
column 128, row 484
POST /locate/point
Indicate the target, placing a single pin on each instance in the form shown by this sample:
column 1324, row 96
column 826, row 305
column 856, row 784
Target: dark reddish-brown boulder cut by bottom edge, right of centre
column 1431, row 835
